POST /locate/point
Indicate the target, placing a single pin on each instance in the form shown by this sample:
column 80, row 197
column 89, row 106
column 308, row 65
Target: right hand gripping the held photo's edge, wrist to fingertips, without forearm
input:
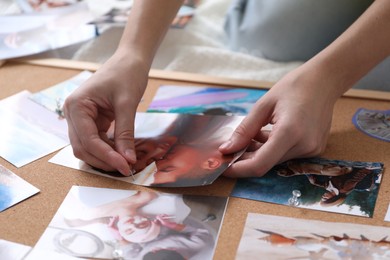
column 300, row 110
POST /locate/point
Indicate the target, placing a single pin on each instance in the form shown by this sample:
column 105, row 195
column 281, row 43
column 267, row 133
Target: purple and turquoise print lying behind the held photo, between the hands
column 204, row 100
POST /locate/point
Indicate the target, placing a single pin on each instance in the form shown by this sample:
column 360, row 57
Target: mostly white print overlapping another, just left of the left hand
column 29, row 131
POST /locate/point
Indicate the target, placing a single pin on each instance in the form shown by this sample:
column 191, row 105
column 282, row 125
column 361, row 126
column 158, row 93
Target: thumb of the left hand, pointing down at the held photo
column 124, row 136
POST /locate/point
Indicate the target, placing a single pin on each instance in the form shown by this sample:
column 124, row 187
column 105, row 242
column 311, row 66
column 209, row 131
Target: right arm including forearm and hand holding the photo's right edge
column 301, row 104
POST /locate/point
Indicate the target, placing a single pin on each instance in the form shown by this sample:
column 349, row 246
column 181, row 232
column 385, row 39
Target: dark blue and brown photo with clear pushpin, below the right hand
column 320, row 184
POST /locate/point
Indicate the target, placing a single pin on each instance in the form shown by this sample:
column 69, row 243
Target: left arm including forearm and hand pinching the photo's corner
column 115, row 90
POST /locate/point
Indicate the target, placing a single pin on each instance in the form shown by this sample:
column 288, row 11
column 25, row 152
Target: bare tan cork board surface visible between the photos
column 25, row 222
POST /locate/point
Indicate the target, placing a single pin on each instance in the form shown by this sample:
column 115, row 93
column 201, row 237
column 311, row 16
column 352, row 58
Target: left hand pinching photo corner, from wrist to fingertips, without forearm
column 111, row 94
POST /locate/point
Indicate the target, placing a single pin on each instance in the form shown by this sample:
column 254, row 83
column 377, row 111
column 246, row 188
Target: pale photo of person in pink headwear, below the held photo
column 128, row 224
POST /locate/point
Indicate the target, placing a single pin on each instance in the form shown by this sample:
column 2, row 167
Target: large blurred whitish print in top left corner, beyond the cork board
column 36, row 32
